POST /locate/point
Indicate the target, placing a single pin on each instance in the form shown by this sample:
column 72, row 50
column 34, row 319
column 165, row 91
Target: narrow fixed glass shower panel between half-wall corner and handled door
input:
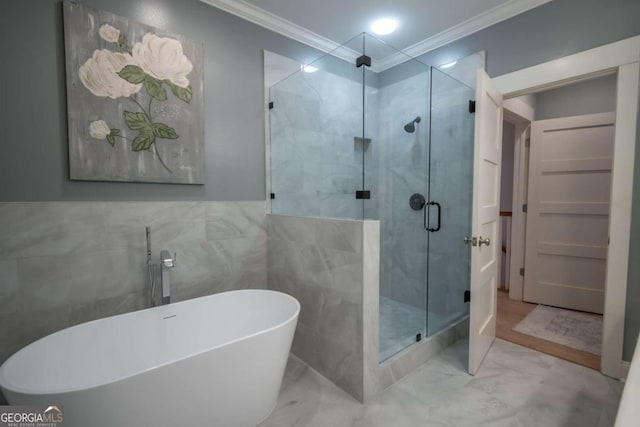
column 396, row 166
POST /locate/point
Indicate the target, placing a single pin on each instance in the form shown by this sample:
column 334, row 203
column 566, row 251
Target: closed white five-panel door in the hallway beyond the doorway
column 570, row 167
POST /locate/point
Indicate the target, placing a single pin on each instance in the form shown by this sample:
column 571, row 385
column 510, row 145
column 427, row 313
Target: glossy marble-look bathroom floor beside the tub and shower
column 515, row 386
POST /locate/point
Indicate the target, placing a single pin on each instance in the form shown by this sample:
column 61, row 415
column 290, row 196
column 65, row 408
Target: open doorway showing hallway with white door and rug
column 556, row 181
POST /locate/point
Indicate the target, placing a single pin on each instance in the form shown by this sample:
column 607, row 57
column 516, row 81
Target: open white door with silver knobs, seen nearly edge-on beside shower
column 485, row 219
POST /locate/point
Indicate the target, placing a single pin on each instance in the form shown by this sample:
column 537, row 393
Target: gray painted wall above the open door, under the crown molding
column 553, row 30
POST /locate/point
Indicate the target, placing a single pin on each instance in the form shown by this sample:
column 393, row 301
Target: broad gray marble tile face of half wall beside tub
column 320, row 262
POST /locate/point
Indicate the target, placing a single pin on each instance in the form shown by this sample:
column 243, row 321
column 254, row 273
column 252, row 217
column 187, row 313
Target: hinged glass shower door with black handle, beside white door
column 450, row 184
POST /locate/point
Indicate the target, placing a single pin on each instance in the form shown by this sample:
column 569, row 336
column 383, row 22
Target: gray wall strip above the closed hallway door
column 592, row 96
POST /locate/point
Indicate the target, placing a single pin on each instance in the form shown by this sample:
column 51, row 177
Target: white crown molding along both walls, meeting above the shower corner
column 296, row 32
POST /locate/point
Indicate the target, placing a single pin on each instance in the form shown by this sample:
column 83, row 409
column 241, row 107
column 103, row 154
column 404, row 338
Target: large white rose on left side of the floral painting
column 99, row 74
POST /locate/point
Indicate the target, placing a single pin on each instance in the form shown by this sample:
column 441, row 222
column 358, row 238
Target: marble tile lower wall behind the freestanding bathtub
column 64, row 263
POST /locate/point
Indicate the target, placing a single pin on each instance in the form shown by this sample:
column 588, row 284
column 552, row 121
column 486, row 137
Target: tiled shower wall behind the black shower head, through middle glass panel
column 399, row 167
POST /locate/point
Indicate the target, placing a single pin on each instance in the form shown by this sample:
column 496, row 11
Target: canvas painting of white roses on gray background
column 134, row 100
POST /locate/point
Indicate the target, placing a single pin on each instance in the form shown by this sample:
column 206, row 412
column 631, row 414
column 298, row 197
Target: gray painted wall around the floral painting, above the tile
column 34, row 164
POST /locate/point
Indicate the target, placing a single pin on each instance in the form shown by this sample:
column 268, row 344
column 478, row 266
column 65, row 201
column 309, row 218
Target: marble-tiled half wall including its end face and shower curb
column 332, row 267
